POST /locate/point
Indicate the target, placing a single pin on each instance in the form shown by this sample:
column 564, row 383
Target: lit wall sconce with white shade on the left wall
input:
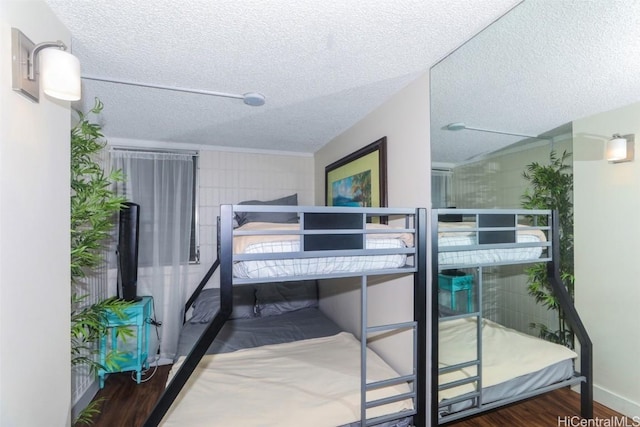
column 57, row 69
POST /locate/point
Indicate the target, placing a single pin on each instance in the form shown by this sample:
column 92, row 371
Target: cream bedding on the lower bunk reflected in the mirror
column 507, row 354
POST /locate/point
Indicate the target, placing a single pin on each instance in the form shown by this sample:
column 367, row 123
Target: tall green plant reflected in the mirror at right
column 552, row 188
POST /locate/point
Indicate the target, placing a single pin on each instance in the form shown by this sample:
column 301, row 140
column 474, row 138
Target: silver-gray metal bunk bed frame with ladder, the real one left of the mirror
column 419, row 378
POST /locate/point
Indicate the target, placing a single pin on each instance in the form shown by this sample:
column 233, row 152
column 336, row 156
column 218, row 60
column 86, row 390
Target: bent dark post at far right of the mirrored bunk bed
column 571, row 315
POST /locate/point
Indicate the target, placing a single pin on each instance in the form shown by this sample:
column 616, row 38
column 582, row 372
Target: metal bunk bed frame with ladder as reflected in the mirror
column 551, row 259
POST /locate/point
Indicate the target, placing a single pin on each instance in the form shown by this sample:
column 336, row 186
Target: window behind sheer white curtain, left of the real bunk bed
column 164, row 184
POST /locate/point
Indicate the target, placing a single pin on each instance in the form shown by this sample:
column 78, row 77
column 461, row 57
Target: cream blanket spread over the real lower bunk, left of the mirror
column 313, row 382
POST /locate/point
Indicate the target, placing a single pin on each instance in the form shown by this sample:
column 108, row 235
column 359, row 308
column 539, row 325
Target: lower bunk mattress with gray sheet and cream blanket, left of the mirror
column 296, row 368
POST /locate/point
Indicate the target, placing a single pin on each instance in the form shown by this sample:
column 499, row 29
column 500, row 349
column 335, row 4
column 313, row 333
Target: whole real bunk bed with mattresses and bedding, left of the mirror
column 327, row 373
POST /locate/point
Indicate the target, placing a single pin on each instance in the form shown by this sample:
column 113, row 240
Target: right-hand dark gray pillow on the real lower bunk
column 273, row 299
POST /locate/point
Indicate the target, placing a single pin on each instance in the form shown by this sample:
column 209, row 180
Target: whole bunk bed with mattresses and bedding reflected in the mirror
column 481, row 365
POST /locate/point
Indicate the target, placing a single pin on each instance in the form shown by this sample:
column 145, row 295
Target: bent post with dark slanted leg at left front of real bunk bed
column 207, row 337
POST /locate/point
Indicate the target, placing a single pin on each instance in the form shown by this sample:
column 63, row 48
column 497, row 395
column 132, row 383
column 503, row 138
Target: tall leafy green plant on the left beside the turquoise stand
column 93, row 205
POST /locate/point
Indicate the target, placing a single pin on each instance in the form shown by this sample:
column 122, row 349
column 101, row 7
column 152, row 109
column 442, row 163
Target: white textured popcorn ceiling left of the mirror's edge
column 321, row 64
